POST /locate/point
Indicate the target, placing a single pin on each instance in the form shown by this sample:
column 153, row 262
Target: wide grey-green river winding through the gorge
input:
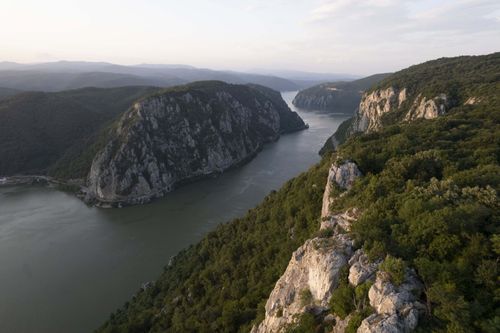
column 64, row 267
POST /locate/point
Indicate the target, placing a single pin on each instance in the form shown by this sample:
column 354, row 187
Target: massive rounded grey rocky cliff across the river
column 183, row 134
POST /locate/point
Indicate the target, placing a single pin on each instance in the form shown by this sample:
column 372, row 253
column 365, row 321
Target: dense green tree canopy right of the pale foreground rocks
column 430, row 198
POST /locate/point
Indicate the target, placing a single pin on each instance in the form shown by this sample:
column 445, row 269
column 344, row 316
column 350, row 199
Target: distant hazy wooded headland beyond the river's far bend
column 336, row 96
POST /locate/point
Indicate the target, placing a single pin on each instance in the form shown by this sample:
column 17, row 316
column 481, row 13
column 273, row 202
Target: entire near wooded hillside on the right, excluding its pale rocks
column 428, row 201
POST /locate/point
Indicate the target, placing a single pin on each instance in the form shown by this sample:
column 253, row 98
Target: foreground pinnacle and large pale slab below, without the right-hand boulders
column 313, row 272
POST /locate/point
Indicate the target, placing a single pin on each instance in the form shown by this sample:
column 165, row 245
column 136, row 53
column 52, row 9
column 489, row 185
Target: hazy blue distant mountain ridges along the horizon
column 64, row 75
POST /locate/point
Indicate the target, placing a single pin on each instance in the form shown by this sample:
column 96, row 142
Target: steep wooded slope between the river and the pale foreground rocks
column 222, row 283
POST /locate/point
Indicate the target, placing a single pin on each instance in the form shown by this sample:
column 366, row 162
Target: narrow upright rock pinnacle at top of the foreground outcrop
column 343, row 176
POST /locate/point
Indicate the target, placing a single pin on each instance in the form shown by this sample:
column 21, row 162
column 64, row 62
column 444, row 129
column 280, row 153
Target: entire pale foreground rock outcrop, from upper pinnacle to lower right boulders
column 314, row 270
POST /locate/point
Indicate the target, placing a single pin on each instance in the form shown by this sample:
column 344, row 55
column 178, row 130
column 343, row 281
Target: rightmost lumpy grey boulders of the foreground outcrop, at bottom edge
column 396, row 307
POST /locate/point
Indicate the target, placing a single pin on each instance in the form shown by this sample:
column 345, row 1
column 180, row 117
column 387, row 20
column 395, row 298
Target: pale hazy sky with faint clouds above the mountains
column 350, row 36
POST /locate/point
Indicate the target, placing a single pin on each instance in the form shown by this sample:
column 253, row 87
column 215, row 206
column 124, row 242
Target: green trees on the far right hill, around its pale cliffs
column 460, row 78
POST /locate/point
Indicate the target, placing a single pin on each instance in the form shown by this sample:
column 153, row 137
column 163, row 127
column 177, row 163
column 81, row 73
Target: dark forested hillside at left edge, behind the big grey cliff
column 37, row 129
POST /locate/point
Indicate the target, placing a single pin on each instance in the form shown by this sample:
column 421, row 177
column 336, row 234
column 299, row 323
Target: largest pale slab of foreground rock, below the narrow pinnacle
column 313, row 270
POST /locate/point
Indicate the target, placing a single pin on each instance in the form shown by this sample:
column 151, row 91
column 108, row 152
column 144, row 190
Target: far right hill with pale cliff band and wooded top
column 424, row 91
